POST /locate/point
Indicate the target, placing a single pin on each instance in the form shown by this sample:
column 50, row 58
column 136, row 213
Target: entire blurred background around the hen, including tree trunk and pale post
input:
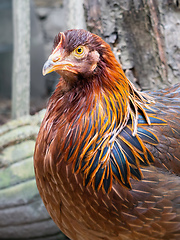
column 144, row 36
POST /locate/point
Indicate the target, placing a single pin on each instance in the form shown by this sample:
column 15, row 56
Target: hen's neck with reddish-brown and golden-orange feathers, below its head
column 109, row 89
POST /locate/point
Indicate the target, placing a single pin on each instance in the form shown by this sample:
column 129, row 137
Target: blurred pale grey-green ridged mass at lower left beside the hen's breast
column 22, row 212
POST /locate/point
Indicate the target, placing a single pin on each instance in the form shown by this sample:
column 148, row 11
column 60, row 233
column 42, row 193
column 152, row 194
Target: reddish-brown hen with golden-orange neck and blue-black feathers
column 107, row 157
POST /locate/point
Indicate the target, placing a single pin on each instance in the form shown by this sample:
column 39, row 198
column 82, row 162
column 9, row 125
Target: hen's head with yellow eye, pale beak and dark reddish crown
column 78, row 56
